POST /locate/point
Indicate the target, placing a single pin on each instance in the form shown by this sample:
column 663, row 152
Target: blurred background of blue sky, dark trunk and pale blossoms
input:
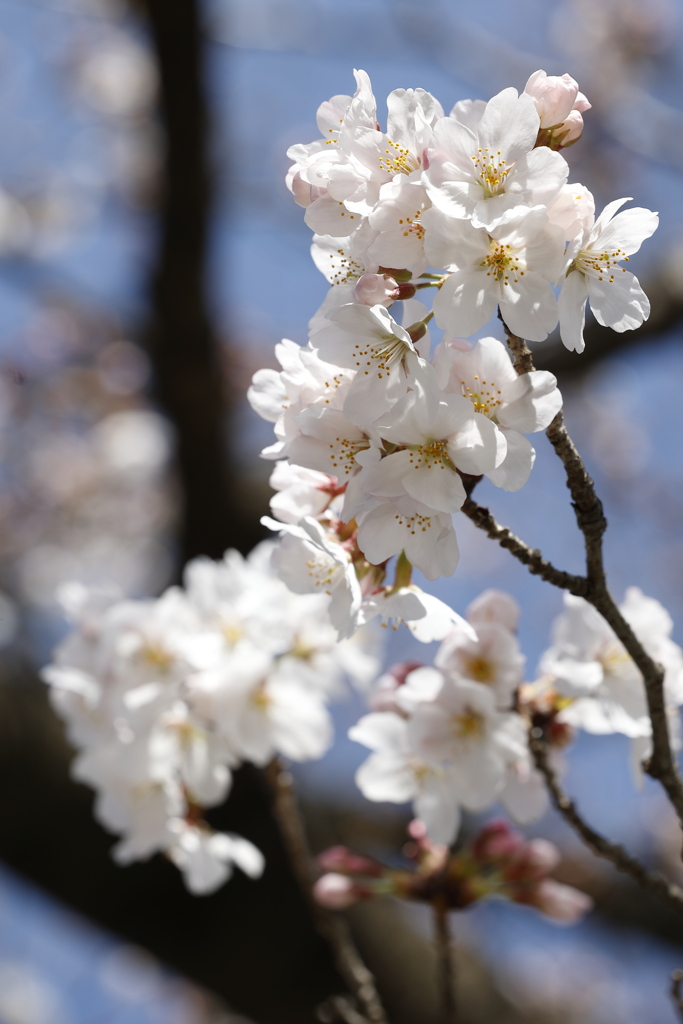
column 151, row 258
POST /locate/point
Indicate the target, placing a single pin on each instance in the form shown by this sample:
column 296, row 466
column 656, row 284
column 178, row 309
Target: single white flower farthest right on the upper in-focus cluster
column 594, row 272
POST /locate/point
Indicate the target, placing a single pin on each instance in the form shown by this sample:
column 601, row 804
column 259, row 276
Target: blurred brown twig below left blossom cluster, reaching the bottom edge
column 361, row 983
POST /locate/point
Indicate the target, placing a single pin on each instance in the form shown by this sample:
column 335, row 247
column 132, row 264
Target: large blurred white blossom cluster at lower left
column 164, row 699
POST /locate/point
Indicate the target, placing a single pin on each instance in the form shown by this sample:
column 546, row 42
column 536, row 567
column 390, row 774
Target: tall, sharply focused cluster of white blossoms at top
column 379, row 439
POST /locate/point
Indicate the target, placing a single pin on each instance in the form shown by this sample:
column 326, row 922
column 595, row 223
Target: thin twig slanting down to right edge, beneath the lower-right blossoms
column 613, row 852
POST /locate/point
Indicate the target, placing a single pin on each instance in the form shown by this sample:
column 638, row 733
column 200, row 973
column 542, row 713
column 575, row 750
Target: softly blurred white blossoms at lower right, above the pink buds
column 454, row 736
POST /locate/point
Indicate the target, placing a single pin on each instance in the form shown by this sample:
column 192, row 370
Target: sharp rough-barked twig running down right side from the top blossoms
column 591, row 522
